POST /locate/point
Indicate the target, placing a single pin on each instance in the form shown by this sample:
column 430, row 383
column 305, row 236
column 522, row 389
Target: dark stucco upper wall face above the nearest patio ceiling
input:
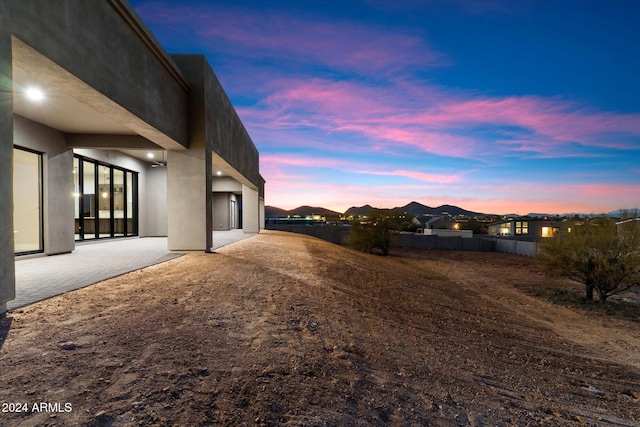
column 100, row 42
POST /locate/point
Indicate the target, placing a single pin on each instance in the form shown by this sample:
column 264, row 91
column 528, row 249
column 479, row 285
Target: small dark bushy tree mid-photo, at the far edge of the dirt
column 373, row 233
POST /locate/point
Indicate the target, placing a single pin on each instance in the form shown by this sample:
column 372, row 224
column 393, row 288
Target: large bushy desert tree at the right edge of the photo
column 599, row 253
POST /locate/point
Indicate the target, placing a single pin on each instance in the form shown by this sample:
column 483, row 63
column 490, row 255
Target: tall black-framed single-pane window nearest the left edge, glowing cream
column 27, row 202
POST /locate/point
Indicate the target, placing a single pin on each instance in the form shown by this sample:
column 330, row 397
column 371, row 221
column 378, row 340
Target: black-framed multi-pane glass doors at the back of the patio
column 106, row 200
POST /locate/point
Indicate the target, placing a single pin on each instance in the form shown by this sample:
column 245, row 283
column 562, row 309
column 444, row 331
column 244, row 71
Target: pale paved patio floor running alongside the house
column 91, row 262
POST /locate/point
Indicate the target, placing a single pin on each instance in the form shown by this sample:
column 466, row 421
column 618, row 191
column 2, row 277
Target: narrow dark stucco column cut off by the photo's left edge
column 7, row 258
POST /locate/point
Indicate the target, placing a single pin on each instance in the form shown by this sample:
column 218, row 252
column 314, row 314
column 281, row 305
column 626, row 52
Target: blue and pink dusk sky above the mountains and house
column 493, row 106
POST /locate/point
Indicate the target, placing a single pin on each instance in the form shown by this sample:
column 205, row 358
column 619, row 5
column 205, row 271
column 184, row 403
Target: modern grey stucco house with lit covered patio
column 105, row 135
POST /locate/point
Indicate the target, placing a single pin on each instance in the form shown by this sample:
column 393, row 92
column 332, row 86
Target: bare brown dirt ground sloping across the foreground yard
column 284, row 329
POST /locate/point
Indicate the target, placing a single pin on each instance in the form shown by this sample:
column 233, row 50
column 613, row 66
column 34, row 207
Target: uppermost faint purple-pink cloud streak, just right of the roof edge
column 342, row 44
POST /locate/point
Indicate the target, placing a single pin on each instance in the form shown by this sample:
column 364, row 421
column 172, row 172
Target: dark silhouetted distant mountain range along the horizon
column 413, row 208
